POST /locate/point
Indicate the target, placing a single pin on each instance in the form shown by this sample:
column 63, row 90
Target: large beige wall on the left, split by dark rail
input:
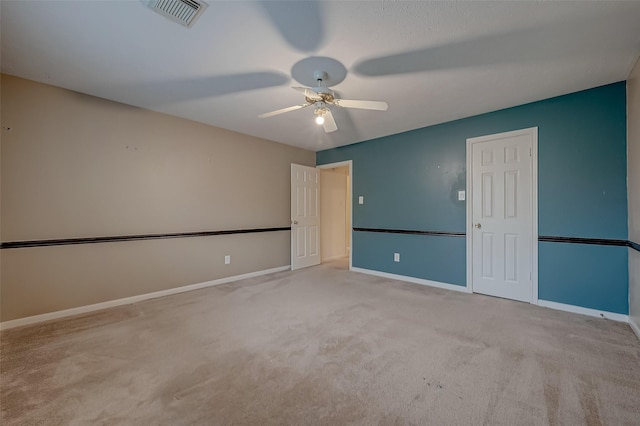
column 79, row 166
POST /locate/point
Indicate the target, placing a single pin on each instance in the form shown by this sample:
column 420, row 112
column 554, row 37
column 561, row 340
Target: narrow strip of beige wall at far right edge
column 633, row 190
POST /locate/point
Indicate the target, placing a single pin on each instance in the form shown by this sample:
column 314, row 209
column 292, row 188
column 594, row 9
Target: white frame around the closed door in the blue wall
column 533, row 134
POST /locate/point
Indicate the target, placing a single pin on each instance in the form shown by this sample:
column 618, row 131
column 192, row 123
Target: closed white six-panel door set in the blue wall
column 502, row 215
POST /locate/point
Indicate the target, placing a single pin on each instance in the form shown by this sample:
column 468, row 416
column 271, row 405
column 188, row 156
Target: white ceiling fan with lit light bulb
column 321, row 97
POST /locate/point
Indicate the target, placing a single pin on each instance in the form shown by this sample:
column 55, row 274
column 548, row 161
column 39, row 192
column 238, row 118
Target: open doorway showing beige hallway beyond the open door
column 335, row 211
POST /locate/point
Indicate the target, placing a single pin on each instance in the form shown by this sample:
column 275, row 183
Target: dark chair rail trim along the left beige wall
column 120, row 238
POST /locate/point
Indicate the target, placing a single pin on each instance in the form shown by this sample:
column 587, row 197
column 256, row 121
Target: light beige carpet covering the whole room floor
column 322, row 346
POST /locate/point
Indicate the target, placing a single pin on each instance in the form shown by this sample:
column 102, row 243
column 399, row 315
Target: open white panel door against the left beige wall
column 305, row 216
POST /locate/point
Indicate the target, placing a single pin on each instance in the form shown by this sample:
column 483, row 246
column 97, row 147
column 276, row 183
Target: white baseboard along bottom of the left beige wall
column 134, row 299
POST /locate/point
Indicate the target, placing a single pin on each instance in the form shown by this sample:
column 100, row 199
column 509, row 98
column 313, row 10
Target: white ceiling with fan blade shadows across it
column 431, row 61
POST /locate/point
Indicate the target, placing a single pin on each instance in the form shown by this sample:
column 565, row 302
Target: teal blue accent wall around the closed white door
column 410, row 181
